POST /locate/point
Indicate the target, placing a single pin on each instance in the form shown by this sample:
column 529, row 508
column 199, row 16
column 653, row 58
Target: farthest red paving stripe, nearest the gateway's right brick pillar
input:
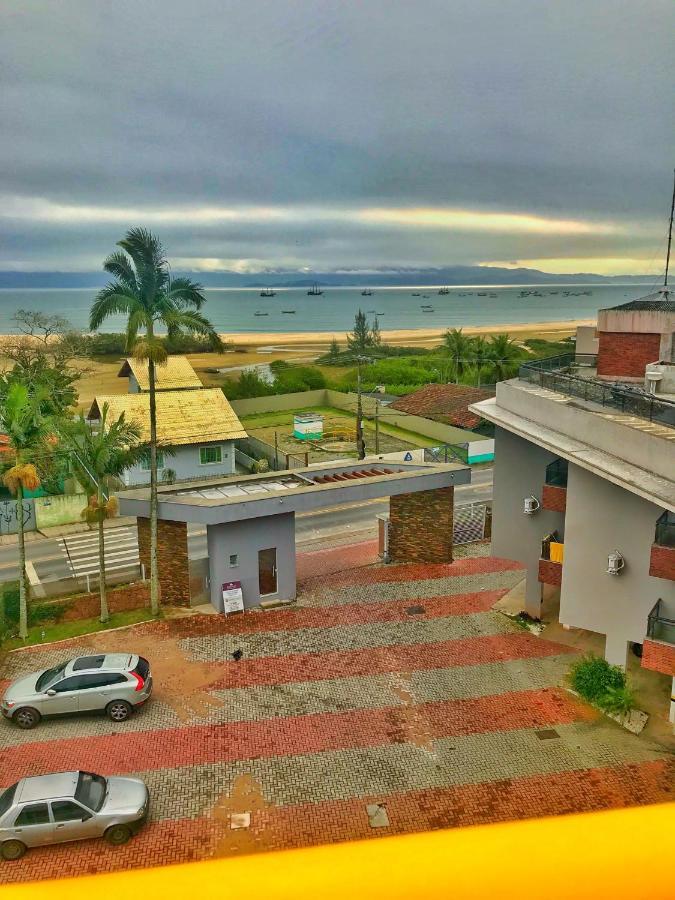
column 477, row 565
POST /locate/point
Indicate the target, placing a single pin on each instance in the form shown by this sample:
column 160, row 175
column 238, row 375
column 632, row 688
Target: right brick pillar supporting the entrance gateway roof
column 420, row 527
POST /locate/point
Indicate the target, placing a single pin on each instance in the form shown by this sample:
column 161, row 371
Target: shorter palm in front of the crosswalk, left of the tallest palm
column 98, row 456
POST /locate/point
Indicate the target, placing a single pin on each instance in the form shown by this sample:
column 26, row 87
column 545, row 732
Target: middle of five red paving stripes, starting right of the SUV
column 271, row 670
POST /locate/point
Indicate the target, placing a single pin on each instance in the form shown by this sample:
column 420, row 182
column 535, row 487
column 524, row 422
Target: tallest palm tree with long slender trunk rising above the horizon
column 145, row 293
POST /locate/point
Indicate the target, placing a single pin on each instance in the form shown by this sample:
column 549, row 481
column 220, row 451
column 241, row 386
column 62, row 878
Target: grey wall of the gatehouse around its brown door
column 245, row 539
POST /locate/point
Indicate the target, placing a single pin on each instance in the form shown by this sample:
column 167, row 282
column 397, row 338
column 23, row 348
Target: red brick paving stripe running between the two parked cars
column 293, row 735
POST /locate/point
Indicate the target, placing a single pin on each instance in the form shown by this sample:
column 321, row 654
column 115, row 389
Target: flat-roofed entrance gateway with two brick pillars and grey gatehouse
column 250, row 521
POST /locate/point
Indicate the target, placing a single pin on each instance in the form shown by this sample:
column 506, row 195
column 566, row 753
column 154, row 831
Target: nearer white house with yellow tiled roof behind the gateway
column 196, row 431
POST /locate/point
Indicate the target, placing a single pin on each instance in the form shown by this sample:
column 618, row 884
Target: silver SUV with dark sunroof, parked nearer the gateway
column 114, row 683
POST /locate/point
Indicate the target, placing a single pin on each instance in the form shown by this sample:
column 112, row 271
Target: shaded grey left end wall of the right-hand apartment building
column 519, row 471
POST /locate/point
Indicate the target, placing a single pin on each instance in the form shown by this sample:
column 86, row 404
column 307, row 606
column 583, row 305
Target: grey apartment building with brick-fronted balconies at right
column 584, row 490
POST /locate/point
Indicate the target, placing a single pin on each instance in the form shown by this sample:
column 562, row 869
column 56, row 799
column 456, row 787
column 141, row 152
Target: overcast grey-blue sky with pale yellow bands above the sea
column 338, row 134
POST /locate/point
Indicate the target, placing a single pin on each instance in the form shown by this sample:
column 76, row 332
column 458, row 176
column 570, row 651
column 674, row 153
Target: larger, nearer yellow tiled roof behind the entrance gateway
column 183, row 417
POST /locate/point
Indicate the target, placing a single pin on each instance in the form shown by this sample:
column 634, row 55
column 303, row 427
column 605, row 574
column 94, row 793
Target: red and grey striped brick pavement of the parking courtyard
column 390, row 685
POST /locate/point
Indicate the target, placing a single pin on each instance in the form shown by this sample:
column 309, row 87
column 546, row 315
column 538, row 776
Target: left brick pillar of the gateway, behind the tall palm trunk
column 172, row 559
